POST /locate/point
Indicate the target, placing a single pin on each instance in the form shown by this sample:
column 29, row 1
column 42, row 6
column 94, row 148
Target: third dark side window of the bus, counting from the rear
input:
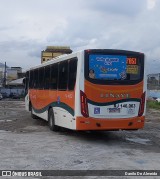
column 54, row 76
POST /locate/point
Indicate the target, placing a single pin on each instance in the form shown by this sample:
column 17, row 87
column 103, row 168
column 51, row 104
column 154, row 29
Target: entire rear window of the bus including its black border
column 110, row 68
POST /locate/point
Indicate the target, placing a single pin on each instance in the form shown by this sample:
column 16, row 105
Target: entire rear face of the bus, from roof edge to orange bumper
column 112, row 96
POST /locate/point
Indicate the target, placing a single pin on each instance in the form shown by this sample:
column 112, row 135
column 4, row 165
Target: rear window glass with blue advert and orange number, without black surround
column 114, row 67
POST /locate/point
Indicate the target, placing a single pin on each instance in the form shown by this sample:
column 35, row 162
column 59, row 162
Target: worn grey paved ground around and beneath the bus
column 28, row 144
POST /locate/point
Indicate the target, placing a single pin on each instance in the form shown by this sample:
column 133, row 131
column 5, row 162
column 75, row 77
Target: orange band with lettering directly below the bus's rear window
column 94, row 91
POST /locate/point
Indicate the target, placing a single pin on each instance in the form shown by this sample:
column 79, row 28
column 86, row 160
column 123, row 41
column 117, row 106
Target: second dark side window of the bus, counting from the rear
column 63, row 75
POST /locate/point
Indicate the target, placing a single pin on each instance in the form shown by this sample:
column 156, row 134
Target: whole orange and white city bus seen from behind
column 93, row 89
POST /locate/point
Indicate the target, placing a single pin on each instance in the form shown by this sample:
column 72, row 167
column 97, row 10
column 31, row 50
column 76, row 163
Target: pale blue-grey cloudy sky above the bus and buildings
column 27, row 27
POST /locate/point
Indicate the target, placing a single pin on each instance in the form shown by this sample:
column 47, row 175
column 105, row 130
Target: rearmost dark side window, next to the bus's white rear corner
column 72, row 74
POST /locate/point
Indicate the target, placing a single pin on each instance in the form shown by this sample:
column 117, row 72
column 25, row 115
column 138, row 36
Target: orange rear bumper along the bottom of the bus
column 90, row 123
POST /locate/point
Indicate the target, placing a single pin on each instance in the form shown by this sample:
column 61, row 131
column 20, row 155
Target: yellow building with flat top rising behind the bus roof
column 54, row 51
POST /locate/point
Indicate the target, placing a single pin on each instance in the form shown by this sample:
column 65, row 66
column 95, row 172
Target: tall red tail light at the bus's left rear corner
column 84, row 104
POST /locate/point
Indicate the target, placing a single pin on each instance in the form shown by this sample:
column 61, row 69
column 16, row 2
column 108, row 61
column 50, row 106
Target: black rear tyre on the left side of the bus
column 51, row 121
